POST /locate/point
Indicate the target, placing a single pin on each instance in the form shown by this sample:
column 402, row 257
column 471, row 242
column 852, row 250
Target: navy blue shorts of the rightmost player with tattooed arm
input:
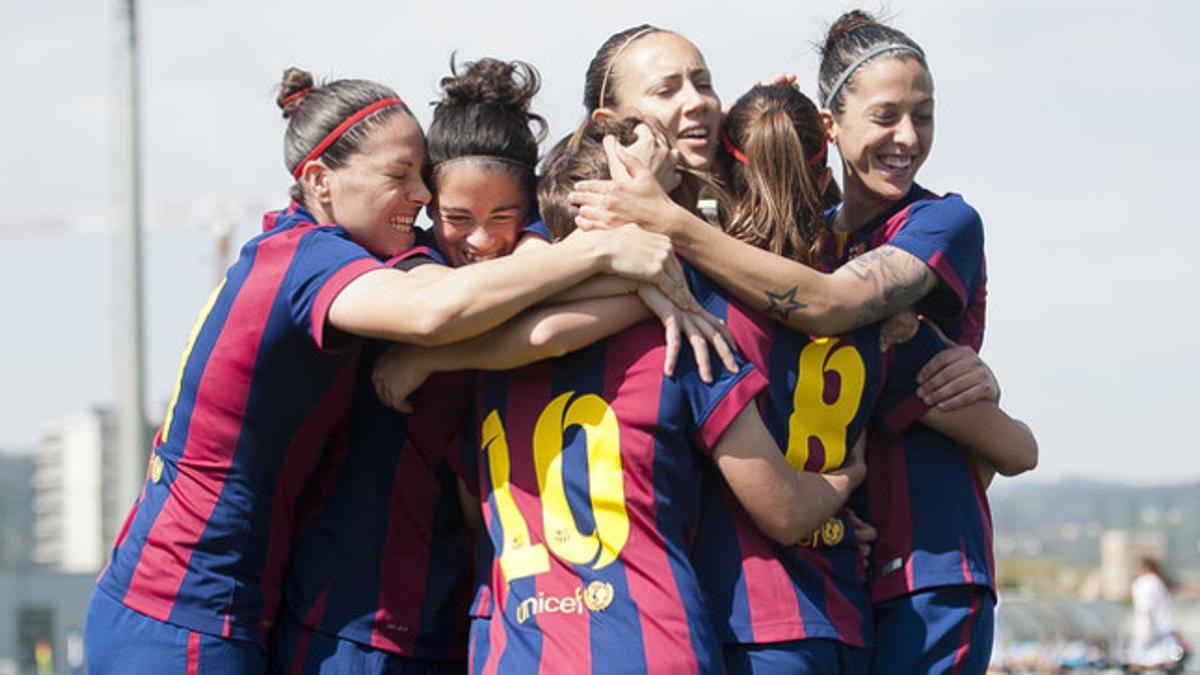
column 943, row 630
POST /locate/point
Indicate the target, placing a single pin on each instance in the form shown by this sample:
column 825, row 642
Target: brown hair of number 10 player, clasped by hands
column 581, row 157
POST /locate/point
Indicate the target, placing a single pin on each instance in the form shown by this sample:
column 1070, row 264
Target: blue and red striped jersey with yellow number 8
column 821, row 396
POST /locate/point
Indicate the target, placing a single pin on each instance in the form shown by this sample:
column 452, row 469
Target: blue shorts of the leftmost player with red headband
column 119, row 641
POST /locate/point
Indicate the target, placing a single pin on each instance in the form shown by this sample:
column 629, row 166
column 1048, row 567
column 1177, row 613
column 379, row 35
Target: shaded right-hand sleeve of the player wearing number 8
column 899, row 405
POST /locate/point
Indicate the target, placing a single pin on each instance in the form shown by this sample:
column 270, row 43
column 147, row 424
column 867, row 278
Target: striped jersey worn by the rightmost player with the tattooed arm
column 922, row 492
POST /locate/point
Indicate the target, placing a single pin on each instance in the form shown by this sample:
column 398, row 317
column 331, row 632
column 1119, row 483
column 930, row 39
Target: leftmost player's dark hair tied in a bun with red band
column 314, row 112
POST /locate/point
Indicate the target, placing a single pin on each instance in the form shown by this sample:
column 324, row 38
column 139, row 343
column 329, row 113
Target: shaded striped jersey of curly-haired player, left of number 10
column 385, row 557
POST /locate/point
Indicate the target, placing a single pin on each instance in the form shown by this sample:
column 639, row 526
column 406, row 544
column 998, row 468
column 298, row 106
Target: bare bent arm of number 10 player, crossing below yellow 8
column 787, row 505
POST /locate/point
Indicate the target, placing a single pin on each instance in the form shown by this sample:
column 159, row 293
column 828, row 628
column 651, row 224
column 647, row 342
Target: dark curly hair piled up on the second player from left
column 484, row 114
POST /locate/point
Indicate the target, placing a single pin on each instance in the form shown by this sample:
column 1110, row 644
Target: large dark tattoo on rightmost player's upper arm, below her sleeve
column 898, row 280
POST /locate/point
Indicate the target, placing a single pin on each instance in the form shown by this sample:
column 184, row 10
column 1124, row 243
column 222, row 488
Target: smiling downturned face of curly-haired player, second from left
column 478, row 211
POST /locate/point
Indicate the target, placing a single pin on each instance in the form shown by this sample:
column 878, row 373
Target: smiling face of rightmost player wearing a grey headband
column 885, row 132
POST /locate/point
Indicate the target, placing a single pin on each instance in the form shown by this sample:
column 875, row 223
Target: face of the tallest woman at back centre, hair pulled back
column 663, row 79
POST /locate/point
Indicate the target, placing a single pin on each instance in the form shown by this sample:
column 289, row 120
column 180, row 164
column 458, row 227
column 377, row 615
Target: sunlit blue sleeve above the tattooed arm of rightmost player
column 946, row 235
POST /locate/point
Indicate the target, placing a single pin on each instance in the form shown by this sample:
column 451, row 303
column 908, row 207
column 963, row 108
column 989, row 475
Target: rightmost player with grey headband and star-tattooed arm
column 935, row 552
